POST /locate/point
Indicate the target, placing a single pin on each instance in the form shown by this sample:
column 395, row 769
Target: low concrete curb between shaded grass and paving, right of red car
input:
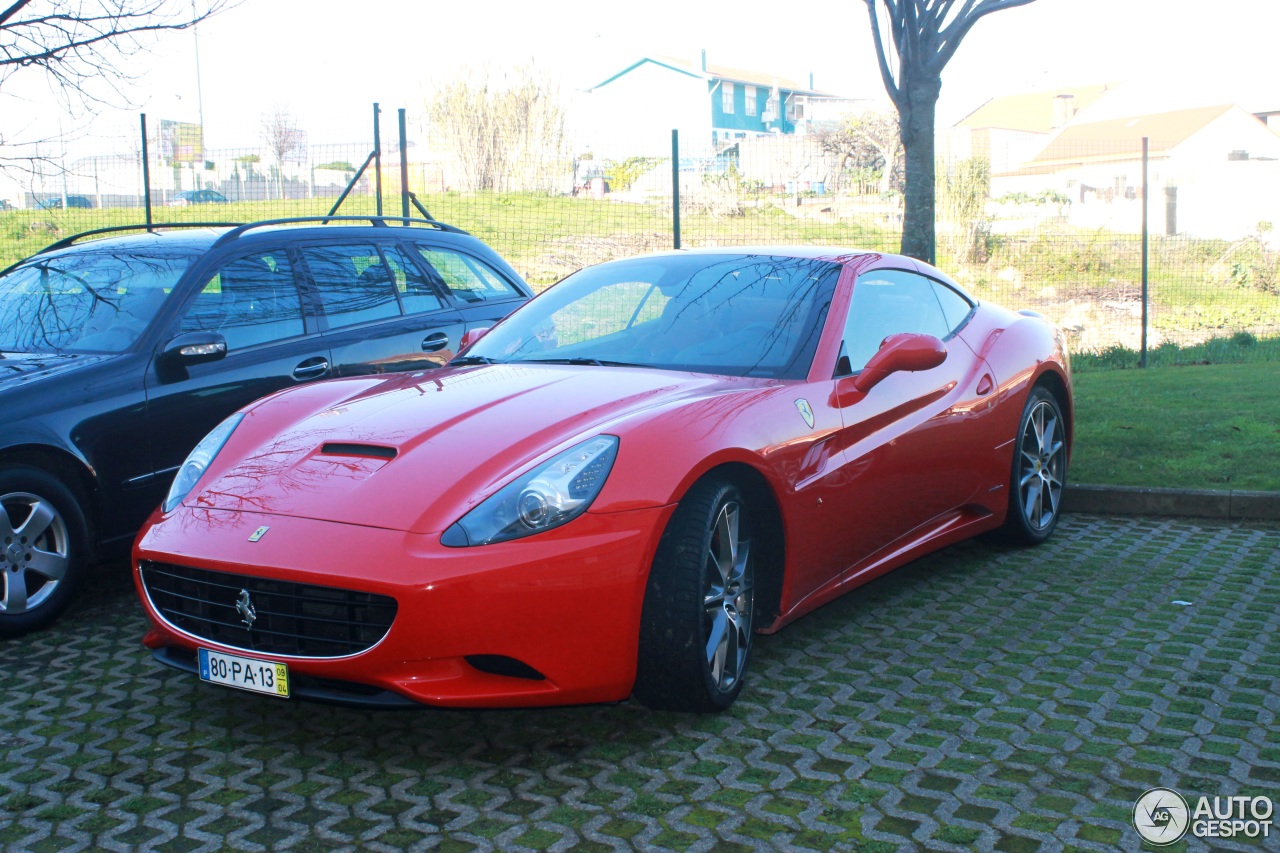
column 1204, row 504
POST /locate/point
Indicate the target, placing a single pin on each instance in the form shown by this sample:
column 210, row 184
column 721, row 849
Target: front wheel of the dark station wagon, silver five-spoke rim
column 44, row 549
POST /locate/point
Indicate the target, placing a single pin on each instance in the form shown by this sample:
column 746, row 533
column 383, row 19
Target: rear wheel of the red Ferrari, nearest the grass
column 1039, row 476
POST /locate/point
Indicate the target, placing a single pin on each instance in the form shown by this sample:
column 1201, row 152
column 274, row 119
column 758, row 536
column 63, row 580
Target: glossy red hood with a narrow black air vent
column 415, row 453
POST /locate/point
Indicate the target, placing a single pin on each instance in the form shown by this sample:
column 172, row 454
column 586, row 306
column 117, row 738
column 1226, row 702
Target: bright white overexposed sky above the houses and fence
column 326, row 62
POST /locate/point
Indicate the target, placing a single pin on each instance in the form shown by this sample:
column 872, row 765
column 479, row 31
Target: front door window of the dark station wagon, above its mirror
column 250, row 300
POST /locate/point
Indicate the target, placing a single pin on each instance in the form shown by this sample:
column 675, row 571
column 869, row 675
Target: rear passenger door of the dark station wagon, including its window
column 381, row 313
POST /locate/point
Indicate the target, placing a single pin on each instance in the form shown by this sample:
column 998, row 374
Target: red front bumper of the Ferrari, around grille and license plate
column 564, row 605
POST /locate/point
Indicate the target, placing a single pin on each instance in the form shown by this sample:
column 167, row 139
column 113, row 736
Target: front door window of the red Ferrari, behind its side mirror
column 886, row 303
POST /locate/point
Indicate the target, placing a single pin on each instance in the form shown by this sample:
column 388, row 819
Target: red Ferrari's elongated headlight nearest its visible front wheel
column 540, row 500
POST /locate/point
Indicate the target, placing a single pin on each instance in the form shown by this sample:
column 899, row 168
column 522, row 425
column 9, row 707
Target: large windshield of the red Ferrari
column 742, row 316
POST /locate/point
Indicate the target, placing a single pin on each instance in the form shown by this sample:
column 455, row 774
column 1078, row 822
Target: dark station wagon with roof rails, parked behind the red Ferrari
column 121, row 352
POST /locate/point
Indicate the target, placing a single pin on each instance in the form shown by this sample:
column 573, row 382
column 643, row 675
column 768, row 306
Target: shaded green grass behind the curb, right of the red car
column 1201, row 427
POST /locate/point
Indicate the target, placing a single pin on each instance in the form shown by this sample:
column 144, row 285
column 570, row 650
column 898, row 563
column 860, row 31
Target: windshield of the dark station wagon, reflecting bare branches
column 86, row 302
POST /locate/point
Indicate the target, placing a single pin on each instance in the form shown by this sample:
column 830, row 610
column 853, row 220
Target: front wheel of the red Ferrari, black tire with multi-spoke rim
column 702, row 586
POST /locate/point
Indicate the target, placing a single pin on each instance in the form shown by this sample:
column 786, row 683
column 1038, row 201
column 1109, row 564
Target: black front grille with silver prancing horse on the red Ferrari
column 289, row 618
